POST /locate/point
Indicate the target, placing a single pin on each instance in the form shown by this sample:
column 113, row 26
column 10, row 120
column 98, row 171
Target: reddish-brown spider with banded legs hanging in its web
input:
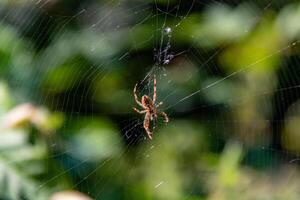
column 150, row 109
